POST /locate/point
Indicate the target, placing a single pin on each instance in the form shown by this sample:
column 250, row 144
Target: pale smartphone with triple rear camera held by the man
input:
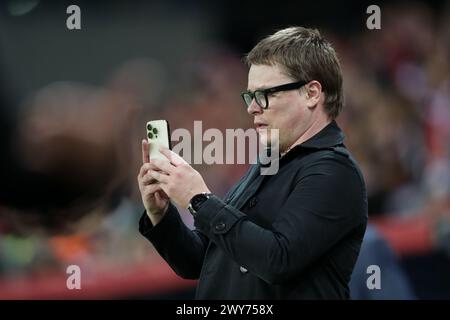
column 158, row 134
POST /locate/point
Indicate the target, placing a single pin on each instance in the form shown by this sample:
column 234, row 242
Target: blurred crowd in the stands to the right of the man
column 398, row 108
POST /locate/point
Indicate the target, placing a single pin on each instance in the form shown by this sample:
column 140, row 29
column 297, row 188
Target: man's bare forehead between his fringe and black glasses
column 264, row 76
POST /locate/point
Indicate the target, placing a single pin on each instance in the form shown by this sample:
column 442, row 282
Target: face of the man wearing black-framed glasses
column 288, row 111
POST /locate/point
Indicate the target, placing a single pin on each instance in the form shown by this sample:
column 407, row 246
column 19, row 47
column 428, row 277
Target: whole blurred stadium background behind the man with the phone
column 73, row 108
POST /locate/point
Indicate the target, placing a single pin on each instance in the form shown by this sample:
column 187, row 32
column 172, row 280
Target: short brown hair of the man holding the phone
column 305, row 56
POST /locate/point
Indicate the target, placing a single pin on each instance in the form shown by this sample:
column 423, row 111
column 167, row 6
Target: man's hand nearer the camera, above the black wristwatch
column 177, row 178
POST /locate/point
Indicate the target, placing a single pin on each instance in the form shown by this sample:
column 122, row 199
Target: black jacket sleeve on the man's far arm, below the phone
column 183, row 249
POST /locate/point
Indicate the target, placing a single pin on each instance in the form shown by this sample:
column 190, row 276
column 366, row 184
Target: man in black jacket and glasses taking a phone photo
column 292, row 235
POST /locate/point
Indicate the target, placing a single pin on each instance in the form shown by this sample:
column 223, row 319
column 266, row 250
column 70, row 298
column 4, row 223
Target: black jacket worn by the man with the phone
column 292, row 235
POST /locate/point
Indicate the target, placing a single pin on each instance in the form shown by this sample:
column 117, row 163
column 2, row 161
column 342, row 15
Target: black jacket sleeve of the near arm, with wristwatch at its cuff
column 326, row 203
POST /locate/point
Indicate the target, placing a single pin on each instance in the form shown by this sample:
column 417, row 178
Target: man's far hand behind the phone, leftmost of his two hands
column 155, row 200
